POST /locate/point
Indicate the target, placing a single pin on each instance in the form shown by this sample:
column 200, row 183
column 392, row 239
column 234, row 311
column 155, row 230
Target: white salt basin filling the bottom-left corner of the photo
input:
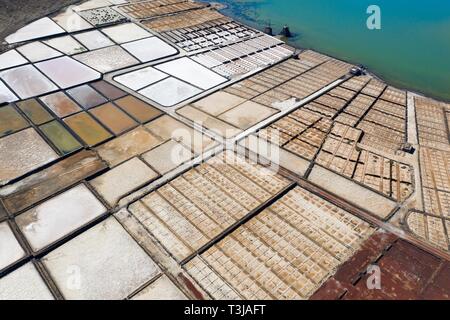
column 24, row 283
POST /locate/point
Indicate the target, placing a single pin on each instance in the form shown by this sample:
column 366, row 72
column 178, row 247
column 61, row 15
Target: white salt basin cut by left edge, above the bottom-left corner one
column 10, row 249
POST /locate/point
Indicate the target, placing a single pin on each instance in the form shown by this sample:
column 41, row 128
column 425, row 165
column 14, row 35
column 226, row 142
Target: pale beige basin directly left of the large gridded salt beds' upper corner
column 122, row 180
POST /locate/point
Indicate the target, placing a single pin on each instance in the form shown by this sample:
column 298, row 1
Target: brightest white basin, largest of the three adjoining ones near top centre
column 192, row 72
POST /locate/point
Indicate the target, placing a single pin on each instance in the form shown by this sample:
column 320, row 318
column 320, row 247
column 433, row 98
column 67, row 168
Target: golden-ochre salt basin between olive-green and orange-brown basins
column 89, row 130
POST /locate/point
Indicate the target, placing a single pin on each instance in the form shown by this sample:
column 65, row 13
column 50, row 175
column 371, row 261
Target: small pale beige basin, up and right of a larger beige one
column 167, row 156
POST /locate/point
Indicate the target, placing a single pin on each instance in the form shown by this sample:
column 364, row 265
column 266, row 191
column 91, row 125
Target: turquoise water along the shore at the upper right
column 412, row 49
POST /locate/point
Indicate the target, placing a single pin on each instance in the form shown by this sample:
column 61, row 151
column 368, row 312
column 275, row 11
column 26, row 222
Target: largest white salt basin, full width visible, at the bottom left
column 110, row 263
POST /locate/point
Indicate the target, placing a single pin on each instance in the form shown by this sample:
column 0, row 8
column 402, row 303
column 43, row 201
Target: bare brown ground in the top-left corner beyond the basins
column 14, row 14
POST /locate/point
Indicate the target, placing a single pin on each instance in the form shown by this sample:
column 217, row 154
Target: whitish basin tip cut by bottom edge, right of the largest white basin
column 162, row 289
